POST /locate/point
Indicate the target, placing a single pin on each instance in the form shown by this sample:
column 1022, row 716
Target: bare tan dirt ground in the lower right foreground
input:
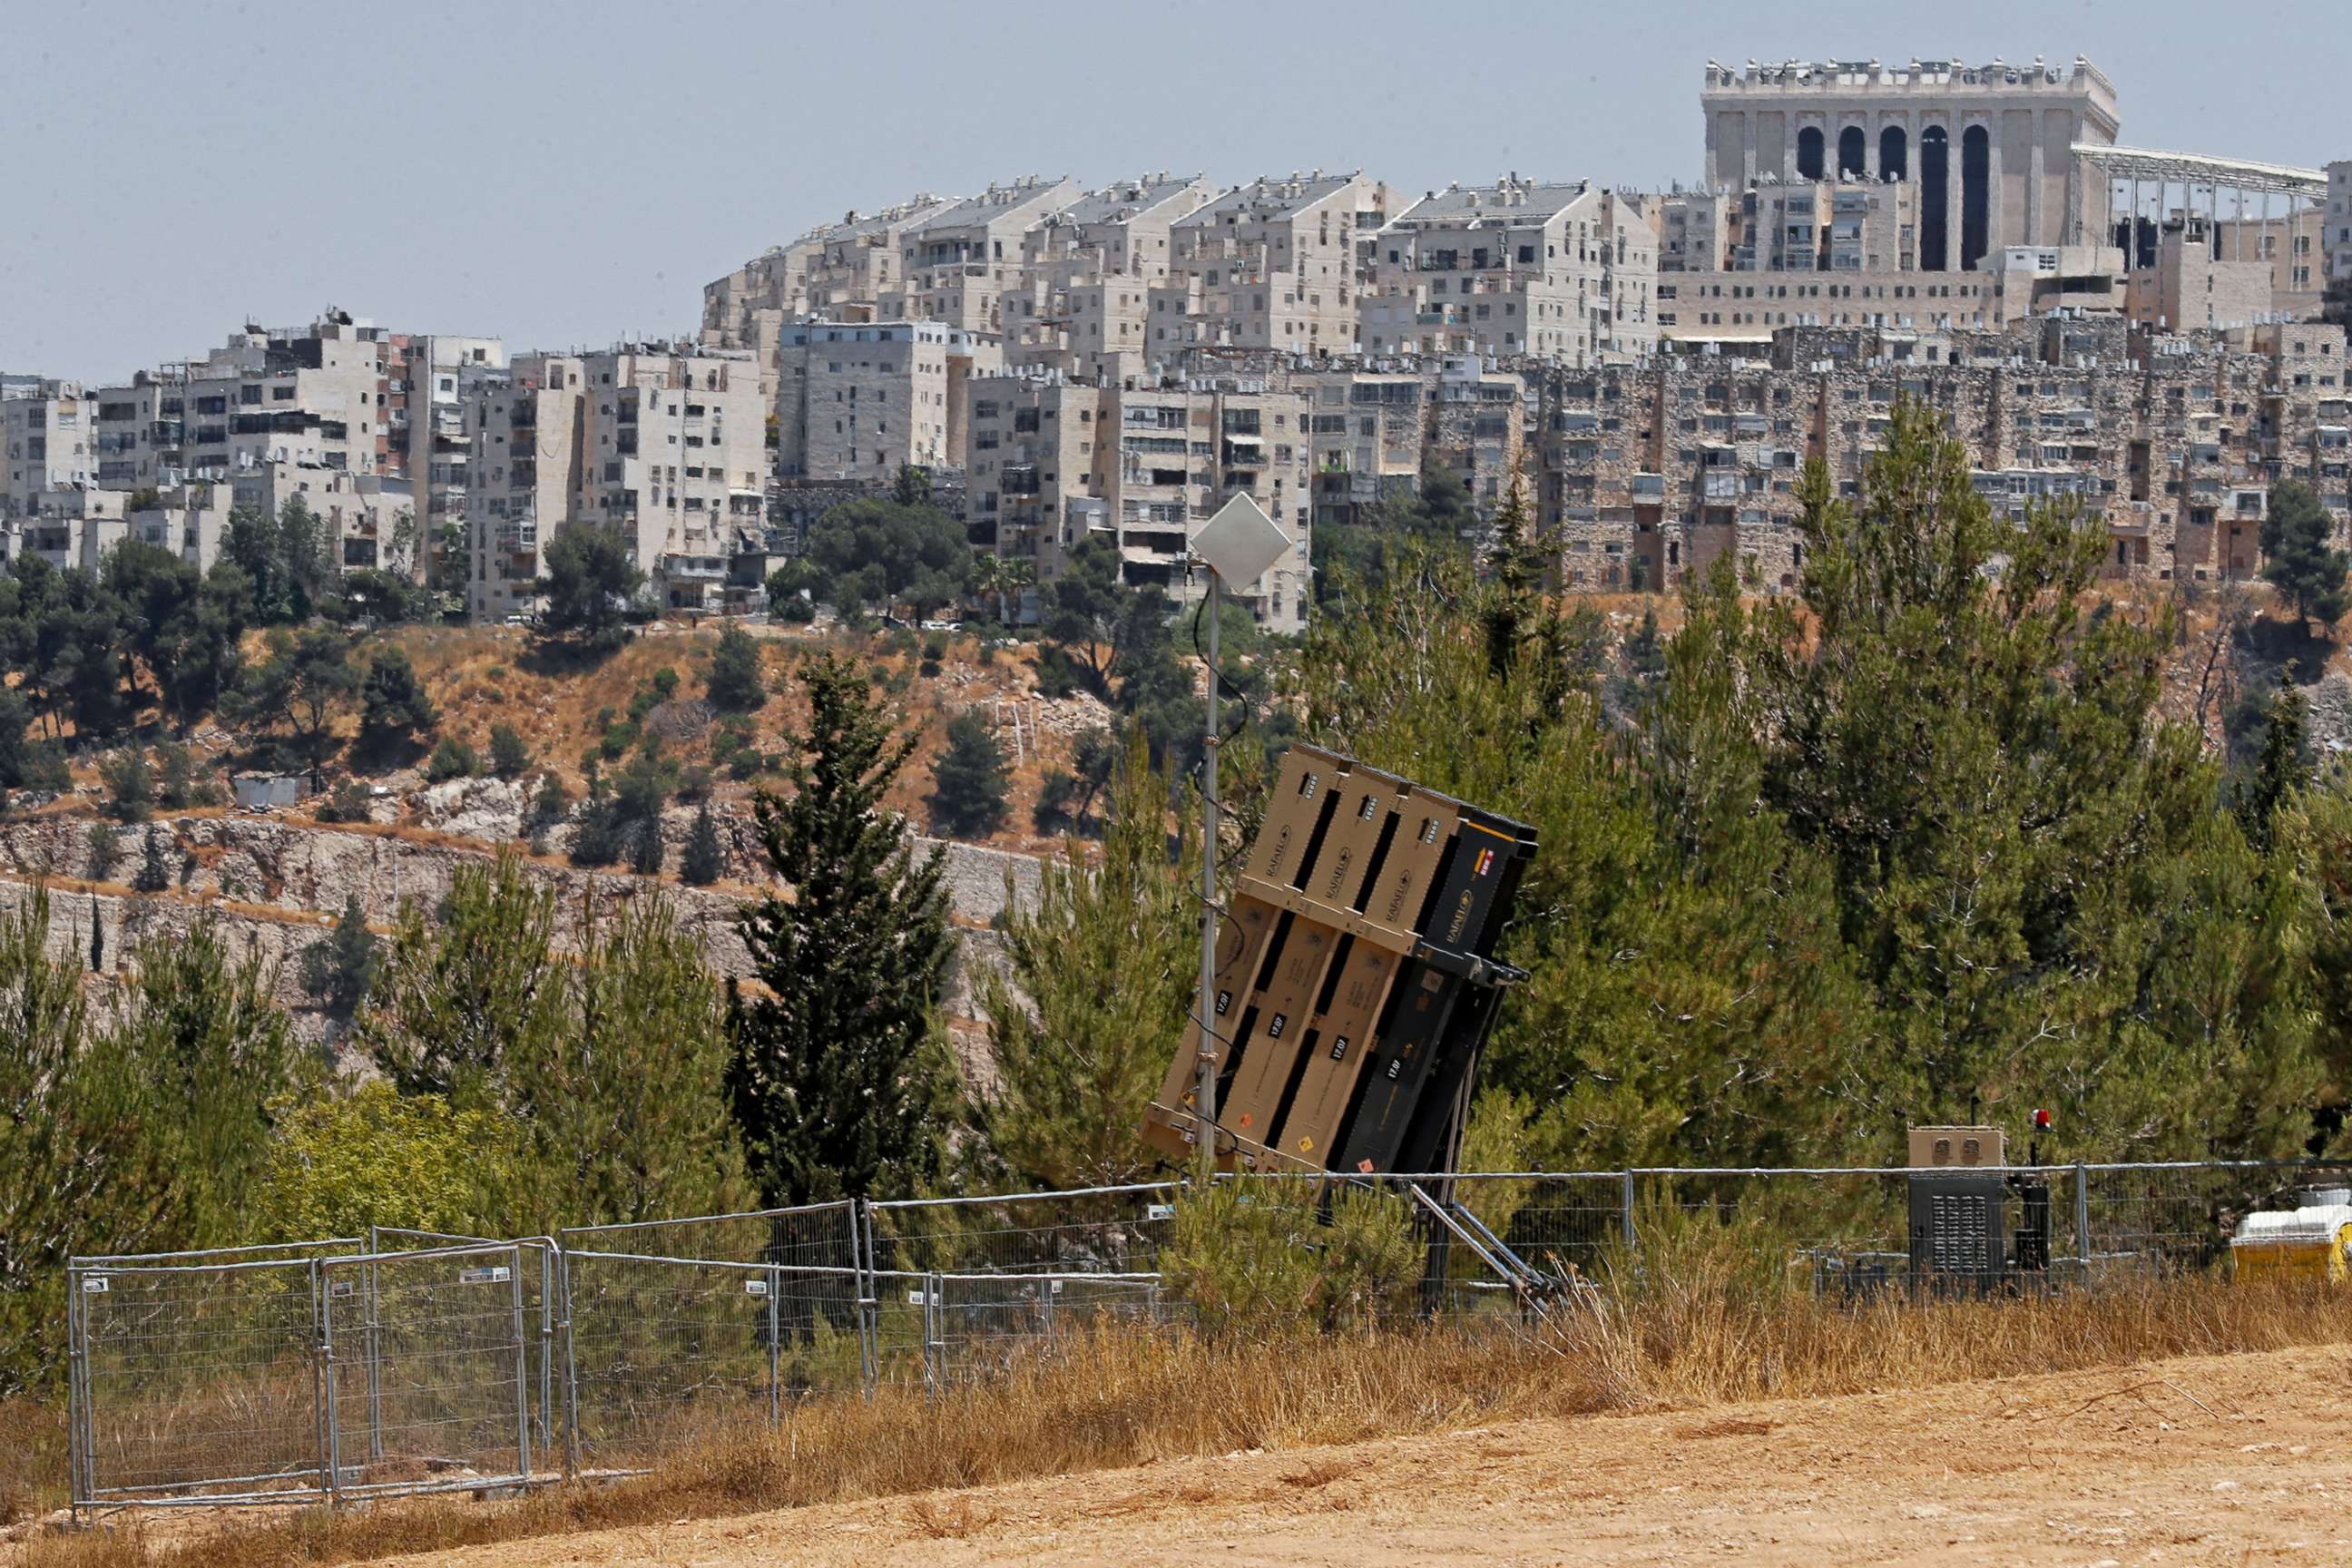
column 2210, row 1461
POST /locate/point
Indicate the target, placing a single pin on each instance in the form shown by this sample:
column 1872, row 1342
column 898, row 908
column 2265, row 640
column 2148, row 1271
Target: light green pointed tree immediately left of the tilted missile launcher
column 1097, row 979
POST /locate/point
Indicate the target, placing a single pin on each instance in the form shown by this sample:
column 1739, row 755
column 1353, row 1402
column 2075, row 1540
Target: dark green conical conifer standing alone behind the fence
column 841, row 1083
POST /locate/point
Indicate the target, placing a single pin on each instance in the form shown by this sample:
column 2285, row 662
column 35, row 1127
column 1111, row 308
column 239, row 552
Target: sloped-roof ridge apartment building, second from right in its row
column 1271, row 264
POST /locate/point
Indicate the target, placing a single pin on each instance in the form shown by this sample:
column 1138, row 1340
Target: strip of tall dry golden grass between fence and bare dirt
column 1123, row 1400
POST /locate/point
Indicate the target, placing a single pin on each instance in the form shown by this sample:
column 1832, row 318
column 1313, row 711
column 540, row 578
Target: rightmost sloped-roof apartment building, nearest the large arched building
column 1516, row 269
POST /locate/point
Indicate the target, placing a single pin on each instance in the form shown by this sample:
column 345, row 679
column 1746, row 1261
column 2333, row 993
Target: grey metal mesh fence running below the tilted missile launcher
column 422, row 1362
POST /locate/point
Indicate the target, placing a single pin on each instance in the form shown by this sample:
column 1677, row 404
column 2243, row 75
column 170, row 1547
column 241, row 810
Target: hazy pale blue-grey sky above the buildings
column 568, row 175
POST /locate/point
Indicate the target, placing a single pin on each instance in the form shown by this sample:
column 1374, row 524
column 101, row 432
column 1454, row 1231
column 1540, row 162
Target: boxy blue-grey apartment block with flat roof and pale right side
column 862, row 401
